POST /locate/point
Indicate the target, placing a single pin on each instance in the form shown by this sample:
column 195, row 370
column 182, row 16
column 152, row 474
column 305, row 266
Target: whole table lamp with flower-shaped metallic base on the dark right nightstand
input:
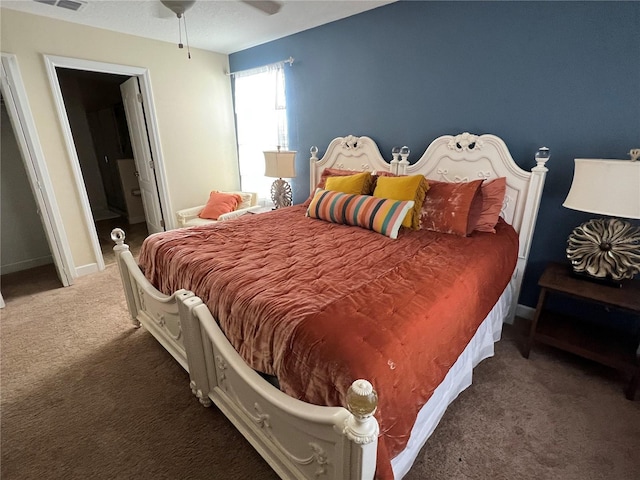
column 605, row 249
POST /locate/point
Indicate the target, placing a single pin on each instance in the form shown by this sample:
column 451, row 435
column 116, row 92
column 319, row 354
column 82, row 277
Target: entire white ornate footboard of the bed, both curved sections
column 298, row 440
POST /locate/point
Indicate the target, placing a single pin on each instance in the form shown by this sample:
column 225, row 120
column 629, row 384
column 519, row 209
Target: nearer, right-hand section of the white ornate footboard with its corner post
column 297, row 439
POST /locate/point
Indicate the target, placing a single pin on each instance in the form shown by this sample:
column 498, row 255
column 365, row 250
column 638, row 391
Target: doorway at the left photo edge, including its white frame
column 25, row 160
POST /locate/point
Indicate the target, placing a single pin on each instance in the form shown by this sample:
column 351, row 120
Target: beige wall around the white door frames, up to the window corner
column 192, row 100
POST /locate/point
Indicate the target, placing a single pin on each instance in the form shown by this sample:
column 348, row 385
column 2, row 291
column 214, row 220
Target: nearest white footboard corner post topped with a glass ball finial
column 362, row 429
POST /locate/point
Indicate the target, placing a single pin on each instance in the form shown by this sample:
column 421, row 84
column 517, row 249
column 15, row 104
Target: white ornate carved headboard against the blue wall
column 449, row 158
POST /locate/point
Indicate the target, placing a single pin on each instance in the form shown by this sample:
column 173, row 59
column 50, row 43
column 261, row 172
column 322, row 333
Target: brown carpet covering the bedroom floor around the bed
column 86, row 396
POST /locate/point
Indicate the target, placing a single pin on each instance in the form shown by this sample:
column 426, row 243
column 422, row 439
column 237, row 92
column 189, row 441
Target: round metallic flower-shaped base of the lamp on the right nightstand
column 605, row 249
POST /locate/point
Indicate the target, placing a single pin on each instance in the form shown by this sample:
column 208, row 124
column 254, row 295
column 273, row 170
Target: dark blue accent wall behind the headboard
column 560, row 74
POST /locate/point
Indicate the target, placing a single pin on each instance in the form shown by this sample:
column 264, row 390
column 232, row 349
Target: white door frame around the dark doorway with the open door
column 53, row 61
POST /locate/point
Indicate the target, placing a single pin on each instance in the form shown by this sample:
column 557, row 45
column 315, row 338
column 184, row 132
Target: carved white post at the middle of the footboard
column 194, row 346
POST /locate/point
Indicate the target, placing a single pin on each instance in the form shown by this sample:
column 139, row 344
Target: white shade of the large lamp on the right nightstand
column 605, row 187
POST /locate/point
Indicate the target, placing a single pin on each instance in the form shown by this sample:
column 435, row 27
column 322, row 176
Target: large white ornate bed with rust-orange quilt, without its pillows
column 309, row 326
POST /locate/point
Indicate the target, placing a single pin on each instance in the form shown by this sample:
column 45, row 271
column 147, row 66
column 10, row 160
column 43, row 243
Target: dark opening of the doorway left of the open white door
column 100, row 131
